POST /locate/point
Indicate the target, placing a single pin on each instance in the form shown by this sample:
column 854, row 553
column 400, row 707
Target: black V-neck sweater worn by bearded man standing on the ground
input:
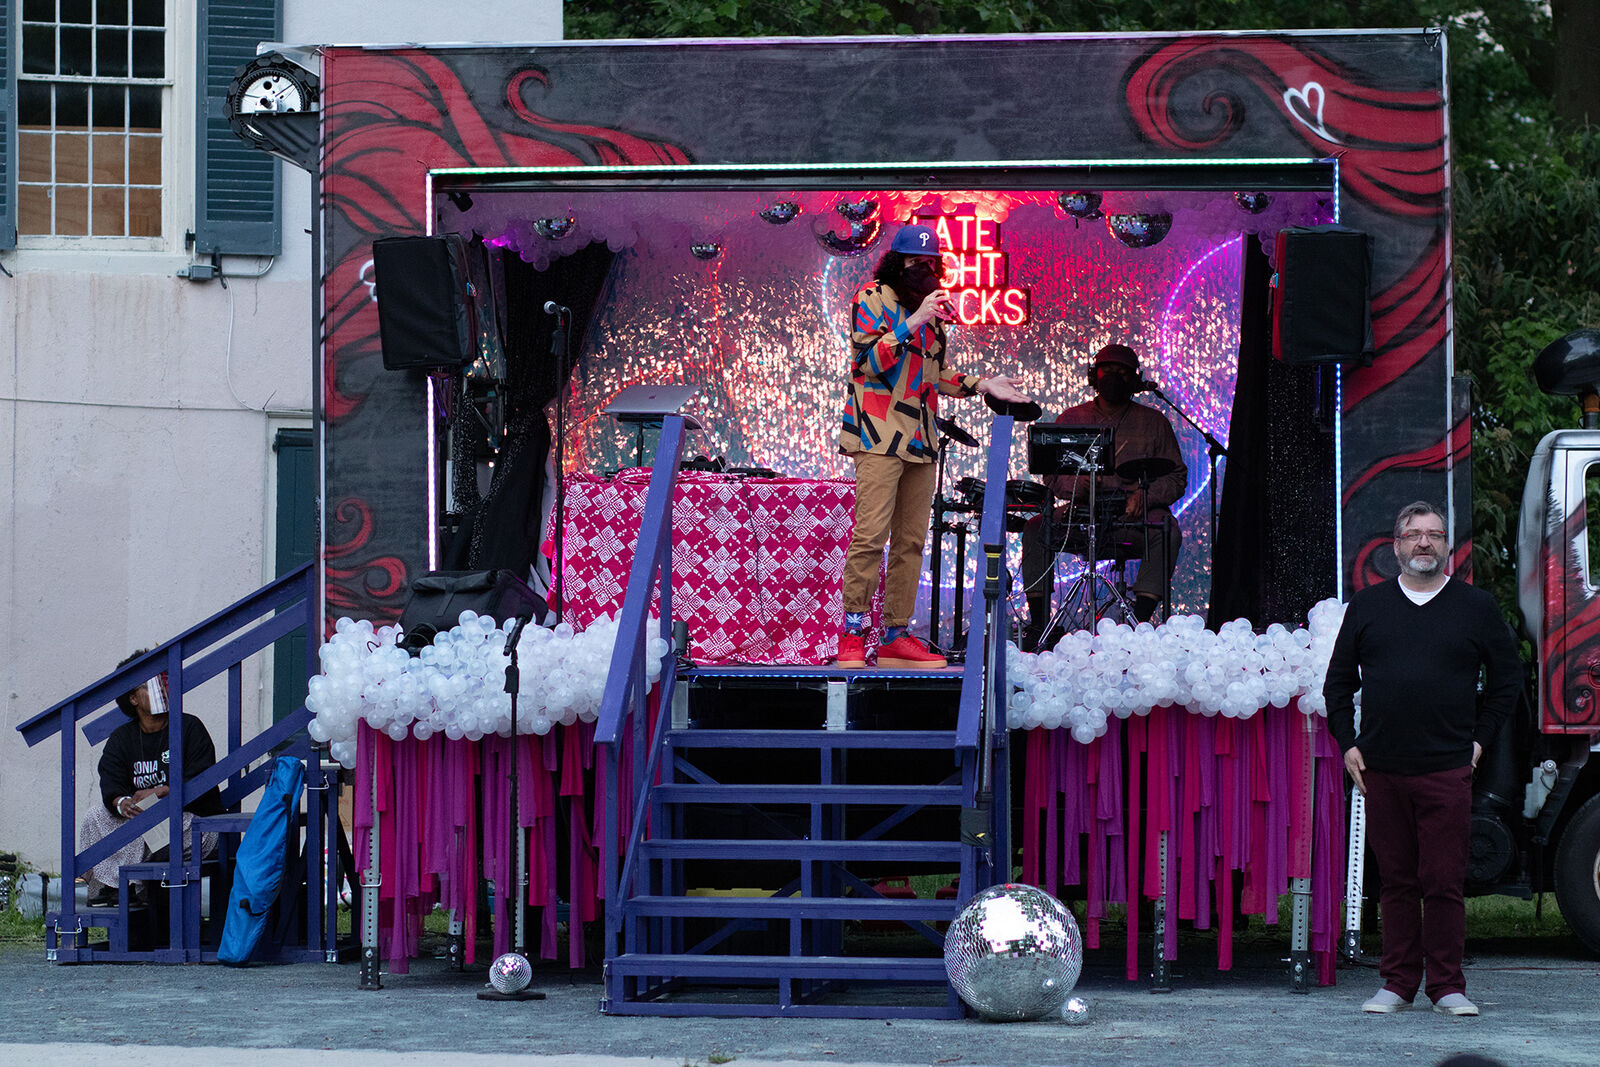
column 1418, row 669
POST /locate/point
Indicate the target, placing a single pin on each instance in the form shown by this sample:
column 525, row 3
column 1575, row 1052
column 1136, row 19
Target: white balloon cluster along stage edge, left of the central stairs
column 458, row 685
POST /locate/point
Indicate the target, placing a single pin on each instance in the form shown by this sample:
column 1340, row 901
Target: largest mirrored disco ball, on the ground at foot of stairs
column 1014, row 954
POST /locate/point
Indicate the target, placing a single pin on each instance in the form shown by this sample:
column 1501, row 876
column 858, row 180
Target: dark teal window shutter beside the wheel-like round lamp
column 238, row 204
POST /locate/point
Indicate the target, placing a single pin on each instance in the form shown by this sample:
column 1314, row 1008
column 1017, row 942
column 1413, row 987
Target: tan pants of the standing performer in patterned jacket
column 894, row 503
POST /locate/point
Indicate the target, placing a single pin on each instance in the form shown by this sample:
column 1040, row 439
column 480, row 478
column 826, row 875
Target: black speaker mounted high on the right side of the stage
column 1322, row 297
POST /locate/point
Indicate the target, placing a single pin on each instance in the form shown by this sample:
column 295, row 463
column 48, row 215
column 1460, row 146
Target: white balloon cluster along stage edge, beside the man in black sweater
column 1127, row 671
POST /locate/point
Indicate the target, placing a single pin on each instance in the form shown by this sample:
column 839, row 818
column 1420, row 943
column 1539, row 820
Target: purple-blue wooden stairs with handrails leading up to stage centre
column 769, row 802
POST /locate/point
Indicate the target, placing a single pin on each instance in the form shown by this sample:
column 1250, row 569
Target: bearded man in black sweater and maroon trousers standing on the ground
column 1414, row 647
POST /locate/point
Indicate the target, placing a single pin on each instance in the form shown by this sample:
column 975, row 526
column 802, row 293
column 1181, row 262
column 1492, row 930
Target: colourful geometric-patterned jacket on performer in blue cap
column 897, row 377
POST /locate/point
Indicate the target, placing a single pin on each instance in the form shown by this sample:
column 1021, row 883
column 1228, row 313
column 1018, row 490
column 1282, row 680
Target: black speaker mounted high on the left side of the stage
column 425, row 303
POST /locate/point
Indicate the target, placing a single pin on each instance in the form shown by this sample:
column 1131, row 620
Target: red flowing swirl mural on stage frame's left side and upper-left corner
column 388, row 119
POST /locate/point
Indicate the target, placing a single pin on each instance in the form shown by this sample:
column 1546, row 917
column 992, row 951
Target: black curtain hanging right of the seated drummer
column 1274, row 553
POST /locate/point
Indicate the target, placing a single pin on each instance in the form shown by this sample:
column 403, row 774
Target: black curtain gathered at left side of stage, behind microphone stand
column 506, row 529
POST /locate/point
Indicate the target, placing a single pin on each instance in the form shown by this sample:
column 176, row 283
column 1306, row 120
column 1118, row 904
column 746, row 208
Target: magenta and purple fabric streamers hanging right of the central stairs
column 1225, row 793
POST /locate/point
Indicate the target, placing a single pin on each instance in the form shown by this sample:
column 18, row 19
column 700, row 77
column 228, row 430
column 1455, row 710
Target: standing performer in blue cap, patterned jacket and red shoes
column 897, row 375
